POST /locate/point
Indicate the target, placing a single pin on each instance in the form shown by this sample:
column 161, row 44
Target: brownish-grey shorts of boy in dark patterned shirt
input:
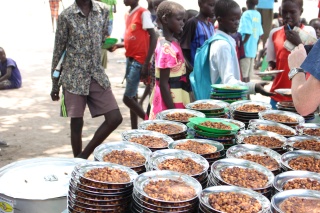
column 99, row 101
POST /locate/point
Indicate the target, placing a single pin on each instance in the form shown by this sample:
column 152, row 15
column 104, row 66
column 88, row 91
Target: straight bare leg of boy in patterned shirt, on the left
column 76, row 125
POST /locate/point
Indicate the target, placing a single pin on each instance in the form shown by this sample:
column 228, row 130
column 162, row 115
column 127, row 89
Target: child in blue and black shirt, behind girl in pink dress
column 197, row 30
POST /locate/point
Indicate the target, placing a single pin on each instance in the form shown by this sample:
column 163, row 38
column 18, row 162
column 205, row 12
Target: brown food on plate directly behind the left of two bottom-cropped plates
column 244, row 177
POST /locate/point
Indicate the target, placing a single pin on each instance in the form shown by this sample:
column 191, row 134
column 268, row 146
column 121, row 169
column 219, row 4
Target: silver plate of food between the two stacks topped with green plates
column 211, row 108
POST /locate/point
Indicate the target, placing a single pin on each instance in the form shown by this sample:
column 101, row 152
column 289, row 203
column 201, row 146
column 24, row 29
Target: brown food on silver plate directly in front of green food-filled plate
column 196, row 147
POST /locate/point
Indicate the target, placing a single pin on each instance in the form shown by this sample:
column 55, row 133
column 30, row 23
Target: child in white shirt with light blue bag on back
column 216, row 61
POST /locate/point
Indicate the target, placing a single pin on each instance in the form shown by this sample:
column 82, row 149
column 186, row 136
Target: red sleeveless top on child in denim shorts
column 136, row 39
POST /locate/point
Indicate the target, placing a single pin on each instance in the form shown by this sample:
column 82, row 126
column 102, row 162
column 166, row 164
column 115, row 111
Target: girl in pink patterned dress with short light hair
column 170, row 90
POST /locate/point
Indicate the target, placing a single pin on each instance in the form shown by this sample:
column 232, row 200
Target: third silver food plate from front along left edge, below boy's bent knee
column 153, row 140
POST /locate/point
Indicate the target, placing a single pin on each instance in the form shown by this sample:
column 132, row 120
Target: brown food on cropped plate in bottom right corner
column 300, row 204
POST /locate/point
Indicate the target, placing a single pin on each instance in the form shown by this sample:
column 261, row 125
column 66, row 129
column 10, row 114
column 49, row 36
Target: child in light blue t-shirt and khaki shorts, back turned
column 251, row 29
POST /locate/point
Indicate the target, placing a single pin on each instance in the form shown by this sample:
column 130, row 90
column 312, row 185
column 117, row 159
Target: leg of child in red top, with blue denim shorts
column 132, row 80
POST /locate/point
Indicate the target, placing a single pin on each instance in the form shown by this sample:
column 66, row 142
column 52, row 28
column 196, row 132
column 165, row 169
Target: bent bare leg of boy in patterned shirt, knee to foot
column 112, row 120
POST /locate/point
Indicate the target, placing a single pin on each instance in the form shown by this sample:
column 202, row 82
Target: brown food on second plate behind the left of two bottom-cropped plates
column 264, row 160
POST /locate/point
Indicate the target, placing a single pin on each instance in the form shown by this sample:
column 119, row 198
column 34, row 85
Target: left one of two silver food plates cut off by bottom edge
column 206, row 205
